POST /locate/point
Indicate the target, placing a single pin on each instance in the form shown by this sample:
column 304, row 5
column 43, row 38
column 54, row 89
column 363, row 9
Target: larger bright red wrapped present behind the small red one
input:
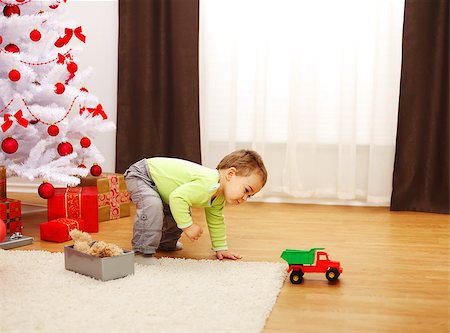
column 75, row 203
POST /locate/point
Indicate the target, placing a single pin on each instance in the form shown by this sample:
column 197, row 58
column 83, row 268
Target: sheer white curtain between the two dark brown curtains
column 313, row 86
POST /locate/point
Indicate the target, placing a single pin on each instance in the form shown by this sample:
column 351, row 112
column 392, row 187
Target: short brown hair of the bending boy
column 246, row 162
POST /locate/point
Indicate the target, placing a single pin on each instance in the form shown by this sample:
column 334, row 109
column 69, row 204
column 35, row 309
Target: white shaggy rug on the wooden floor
column 170, row 295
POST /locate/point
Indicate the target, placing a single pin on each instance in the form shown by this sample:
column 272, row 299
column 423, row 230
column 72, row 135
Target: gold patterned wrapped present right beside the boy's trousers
column 113, row 196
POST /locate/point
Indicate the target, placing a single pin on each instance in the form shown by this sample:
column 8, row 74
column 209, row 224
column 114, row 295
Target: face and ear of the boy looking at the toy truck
column 238, row 189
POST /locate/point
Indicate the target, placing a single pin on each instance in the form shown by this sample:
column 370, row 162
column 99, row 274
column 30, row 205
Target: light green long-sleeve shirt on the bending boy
column 183, row 184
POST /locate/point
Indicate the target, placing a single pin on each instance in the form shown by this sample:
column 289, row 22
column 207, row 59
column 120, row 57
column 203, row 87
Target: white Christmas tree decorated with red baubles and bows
column 47, row 116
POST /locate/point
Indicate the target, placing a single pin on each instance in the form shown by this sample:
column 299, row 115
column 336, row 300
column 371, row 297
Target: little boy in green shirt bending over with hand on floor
column 164, row 190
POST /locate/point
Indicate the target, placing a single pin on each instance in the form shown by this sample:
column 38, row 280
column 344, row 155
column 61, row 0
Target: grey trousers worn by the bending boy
column 154, row 226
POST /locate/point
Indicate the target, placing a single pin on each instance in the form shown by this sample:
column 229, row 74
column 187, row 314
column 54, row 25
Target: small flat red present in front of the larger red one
column 58, row 230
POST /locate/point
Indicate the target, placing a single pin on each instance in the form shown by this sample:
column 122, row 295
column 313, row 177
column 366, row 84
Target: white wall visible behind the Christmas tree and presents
column 99, row 20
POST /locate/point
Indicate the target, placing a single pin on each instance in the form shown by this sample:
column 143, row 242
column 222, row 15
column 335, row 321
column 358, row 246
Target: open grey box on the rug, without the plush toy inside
column 104, row 269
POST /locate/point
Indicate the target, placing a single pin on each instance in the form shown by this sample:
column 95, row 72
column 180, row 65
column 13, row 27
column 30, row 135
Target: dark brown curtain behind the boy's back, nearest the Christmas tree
column 158, row 93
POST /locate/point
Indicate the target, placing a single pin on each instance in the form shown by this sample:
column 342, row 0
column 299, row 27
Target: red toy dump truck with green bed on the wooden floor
column 310, row 261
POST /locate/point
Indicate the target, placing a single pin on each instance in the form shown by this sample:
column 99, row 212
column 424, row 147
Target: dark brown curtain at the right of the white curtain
column 421, row 170
